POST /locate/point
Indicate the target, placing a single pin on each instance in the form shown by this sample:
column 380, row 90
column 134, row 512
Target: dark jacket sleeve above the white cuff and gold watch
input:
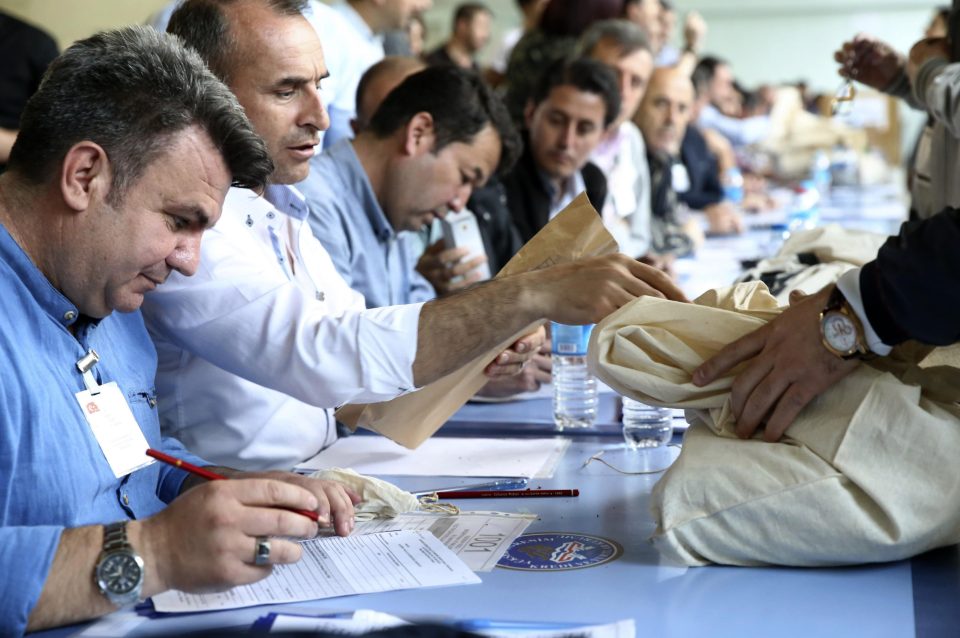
column 912, row 289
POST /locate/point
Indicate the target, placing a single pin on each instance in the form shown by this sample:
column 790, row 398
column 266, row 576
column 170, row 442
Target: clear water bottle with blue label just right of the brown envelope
column 574, row 388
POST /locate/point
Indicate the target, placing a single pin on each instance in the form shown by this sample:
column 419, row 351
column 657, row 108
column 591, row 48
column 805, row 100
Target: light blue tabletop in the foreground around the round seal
column 906, row 598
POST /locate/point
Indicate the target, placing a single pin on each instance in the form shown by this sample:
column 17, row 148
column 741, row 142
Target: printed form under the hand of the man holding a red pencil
column 340, row 566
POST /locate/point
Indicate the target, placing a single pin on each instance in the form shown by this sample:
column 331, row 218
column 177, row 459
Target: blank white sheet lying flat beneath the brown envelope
column 443, row 456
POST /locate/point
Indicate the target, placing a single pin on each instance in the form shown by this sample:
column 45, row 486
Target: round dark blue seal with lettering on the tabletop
column 551, row 551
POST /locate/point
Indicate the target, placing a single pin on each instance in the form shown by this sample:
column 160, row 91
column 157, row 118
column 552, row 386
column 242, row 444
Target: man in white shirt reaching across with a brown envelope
column 266, row 337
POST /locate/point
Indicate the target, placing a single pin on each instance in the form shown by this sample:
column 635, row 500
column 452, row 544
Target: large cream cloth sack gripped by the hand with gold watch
column 868, row 472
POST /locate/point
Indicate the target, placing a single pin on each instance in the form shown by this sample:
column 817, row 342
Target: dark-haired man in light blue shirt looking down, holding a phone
column 368, row 195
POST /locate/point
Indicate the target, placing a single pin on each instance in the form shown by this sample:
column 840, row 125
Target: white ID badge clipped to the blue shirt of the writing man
column 115, row 428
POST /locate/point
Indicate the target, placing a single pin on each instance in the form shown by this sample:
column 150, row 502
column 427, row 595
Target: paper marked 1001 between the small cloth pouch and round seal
column 478, row 538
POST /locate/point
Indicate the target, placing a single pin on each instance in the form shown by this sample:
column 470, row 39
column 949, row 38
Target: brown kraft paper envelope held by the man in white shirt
column 576, row 232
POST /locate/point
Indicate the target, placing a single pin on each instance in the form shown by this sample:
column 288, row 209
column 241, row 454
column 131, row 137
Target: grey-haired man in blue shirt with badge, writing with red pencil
column 123, row 159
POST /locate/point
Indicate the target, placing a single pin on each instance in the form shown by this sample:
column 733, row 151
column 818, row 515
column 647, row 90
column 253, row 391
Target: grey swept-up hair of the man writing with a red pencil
column 130, row 91
